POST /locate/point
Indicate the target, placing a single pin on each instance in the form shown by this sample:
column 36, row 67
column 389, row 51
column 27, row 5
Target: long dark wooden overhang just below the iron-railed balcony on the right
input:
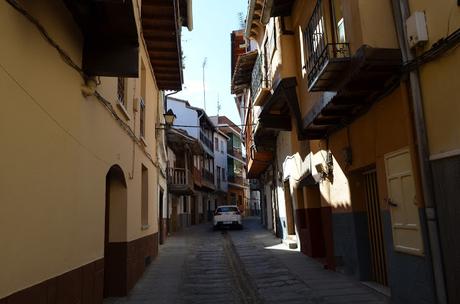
column 373, row 73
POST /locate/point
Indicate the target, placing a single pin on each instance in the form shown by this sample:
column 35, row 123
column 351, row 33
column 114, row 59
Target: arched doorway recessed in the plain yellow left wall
column 115, row 235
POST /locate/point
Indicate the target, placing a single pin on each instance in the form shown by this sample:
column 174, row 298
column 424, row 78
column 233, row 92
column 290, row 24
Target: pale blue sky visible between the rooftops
column 213, row 21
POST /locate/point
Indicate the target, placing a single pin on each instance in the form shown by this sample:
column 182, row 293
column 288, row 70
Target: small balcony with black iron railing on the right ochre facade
column 326, row 66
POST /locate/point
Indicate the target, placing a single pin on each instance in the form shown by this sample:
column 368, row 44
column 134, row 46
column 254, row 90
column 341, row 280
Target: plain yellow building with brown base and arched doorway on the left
column 80, row 174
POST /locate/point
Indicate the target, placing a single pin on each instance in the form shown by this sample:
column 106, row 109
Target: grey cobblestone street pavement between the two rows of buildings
column 248, row 266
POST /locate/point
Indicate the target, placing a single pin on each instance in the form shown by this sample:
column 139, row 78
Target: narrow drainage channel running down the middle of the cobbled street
column 246, row 288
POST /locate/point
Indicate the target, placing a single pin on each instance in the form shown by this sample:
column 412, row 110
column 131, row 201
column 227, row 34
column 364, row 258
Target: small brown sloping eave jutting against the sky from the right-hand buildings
column 243, row 71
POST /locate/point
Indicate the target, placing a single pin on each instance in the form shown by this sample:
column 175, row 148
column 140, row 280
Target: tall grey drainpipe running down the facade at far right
column 401, row 13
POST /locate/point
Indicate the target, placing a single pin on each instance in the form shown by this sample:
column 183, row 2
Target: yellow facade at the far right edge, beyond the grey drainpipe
column 437, row 82
